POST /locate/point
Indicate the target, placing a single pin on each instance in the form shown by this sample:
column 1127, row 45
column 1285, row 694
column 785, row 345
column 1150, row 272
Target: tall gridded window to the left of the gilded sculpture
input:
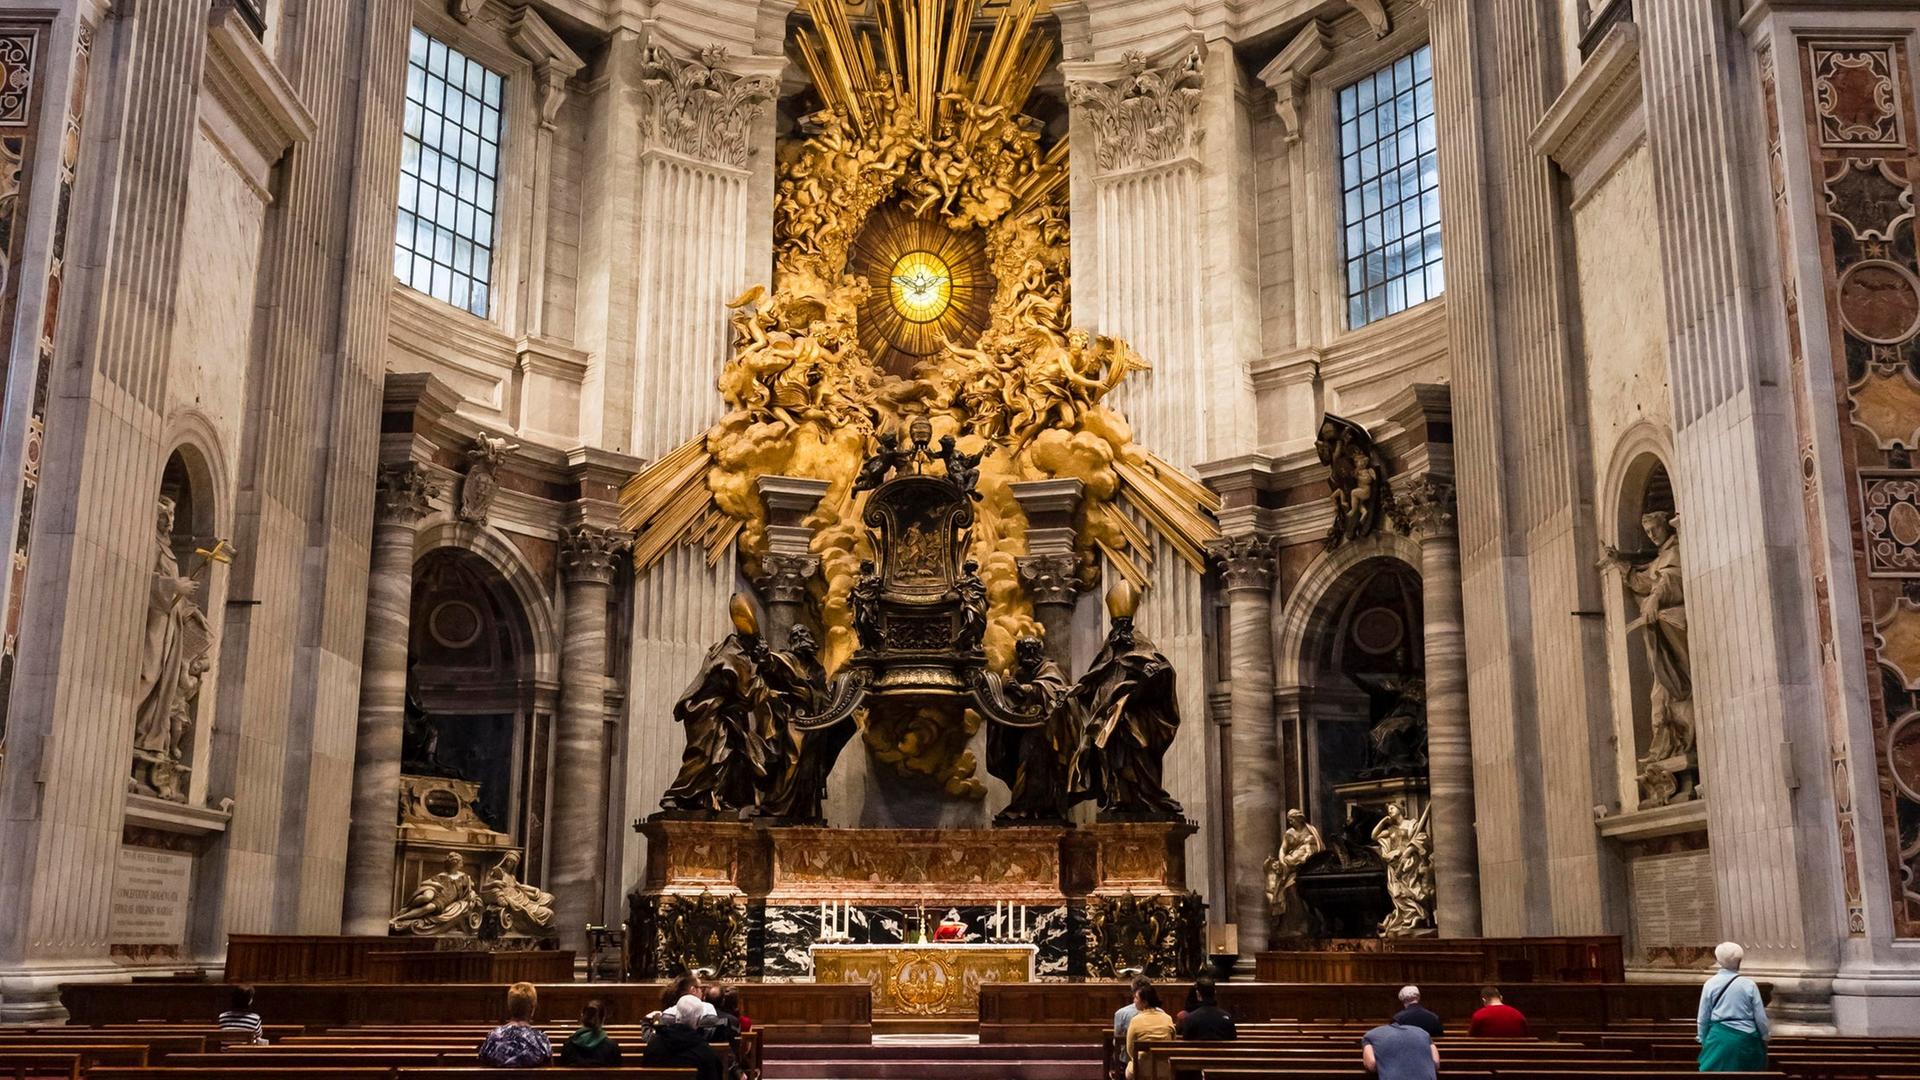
column 448, row 172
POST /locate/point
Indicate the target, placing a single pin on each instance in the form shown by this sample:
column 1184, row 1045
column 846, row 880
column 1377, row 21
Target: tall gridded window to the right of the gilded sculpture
column 1391, row 189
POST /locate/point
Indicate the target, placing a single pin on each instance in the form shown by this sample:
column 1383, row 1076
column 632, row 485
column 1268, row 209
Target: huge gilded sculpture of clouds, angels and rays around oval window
column 923, row 276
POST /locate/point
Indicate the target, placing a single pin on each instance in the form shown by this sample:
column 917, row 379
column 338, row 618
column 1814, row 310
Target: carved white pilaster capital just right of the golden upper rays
column 1143, row 118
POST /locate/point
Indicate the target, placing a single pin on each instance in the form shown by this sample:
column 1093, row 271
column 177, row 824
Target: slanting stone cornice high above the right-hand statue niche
column 1598, row 116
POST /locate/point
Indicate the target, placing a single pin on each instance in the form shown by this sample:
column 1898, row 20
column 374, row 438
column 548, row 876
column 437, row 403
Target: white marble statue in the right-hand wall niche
column 1656, row 581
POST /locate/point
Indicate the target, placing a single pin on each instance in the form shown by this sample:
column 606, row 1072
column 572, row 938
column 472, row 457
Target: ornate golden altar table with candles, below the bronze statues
column 924, row 981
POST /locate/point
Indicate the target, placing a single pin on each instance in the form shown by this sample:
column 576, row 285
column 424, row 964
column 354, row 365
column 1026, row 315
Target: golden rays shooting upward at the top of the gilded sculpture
column 924, row 49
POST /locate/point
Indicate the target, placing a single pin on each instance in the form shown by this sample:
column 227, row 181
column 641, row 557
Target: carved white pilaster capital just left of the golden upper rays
column 700, row 109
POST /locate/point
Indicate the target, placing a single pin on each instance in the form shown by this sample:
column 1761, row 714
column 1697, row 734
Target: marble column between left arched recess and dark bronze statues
column 577, row 833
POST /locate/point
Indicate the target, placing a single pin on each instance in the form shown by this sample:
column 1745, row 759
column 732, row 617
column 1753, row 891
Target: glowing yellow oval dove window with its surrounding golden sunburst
column 926, row 285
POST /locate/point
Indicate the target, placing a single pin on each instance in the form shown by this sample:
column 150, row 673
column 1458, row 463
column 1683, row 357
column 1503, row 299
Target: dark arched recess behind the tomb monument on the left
column 471, row 689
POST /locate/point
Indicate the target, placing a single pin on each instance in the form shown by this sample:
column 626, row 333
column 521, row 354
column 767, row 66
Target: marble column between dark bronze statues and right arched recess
column 1247, row 572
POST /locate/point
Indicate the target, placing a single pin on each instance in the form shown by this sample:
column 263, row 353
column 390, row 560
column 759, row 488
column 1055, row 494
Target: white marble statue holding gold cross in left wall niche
column 174, row 660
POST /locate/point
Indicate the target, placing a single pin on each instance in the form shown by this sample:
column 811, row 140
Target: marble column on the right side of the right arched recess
column 1449, row 739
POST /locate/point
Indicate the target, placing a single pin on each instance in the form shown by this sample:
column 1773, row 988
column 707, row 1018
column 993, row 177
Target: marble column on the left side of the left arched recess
column 402, row 499
